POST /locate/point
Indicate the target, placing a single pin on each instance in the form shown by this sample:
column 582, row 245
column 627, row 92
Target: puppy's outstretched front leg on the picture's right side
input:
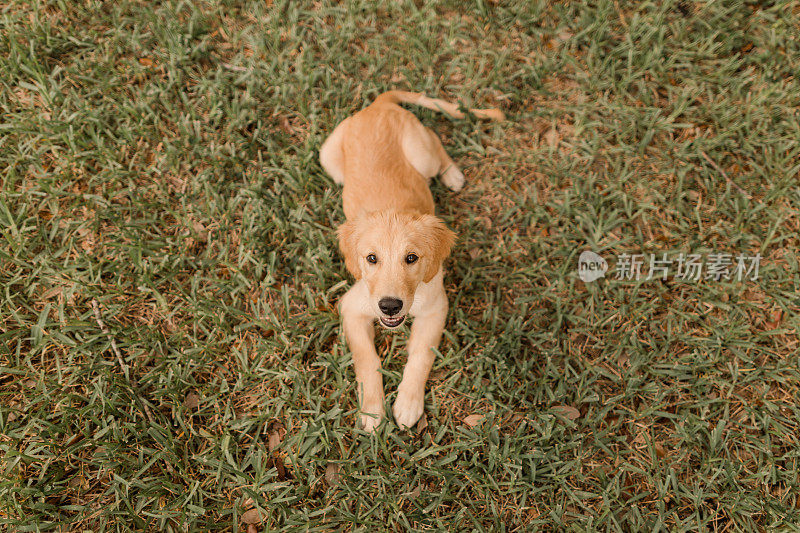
column 425, row 335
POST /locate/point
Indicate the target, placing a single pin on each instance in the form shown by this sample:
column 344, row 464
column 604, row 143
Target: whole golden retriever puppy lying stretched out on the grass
column 392, row 243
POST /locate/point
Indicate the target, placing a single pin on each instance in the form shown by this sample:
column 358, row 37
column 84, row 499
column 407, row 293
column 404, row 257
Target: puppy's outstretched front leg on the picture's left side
column 360, row 334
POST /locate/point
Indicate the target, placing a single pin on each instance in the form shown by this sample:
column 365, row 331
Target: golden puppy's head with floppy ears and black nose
column 394, row 253
